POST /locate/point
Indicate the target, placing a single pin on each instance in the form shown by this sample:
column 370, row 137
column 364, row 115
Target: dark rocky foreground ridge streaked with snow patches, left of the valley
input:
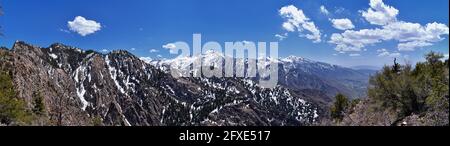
column 89, row 88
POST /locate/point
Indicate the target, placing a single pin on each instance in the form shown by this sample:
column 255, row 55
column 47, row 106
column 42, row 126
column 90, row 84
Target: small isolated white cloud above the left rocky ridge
column 83, row 26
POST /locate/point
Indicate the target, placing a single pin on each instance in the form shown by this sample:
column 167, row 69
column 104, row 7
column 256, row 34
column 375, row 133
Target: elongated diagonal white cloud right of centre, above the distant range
column 295, row 20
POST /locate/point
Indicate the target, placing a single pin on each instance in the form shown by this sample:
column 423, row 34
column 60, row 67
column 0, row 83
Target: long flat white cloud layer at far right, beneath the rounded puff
column 409, row 35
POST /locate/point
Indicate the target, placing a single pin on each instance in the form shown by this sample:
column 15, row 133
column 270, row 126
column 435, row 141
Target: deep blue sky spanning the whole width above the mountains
column 150, row 24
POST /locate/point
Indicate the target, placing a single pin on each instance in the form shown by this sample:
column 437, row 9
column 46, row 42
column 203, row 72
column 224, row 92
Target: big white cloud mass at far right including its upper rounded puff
column 408, row 35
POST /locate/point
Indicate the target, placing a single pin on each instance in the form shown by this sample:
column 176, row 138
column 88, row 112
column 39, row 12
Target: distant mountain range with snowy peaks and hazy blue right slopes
column 294, row 72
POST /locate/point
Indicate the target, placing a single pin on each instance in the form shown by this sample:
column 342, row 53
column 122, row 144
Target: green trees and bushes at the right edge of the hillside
column 411, row 90
